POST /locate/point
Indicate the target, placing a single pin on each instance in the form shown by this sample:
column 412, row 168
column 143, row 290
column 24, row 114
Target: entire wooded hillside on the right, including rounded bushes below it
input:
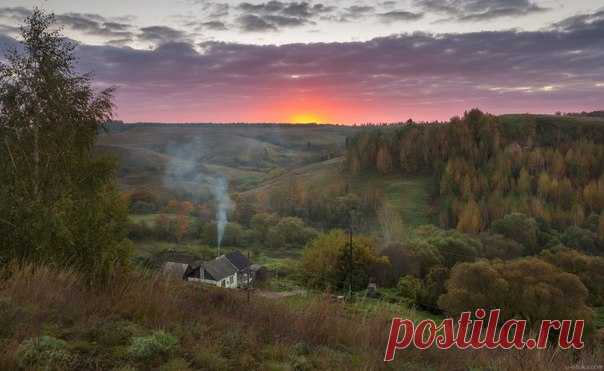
column 517, row 207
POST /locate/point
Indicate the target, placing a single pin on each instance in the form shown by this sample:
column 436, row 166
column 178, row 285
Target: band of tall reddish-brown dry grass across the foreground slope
column 62, row 297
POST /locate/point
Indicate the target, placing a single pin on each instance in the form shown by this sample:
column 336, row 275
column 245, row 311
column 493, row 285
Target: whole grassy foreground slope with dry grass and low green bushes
column 51, row 319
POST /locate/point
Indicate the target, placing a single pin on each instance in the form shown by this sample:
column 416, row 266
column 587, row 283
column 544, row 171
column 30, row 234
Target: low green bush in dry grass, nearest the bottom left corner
column 43, row 353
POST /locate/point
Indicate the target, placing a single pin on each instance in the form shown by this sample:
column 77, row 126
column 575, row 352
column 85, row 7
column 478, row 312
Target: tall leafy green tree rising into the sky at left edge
column 57, row 200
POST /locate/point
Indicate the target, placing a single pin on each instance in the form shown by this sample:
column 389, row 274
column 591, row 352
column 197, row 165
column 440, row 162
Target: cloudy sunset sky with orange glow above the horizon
column 332, row 61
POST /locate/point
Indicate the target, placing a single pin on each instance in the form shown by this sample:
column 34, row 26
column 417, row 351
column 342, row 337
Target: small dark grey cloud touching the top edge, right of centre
column 480, row 10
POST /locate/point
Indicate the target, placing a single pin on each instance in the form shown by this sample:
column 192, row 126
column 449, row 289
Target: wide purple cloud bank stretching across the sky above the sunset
column 559, row 66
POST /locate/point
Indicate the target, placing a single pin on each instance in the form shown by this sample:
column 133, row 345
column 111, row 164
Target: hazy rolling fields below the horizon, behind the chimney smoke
column 246, row 155
